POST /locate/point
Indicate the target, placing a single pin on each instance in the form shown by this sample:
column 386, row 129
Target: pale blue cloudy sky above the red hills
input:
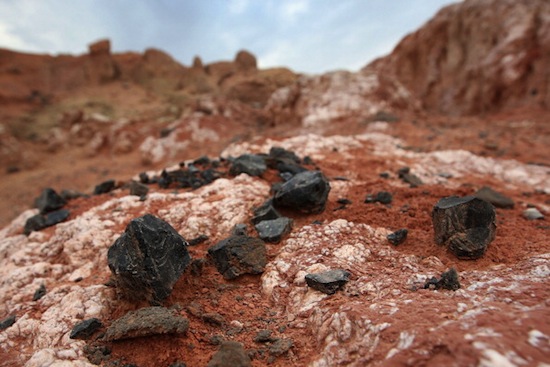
column 309, row 36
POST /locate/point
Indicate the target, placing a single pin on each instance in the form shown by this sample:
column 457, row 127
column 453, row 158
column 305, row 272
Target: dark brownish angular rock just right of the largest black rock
column 238, row 255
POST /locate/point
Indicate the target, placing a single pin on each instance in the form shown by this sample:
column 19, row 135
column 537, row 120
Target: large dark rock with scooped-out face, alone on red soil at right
column 466, row 225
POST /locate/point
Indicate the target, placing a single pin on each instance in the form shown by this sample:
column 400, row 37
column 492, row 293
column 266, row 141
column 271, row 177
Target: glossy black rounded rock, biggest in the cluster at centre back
column 306, row 192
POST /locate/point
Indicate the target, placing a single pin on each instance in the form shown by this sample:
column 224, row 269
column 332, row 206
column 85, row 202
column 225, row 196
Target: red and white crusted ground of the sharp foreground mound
column 499, row 317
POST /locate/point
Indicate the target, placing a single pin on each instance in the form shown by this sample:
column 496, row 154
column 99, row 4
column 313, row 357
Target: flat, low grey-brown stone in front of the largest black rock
column 146, row 322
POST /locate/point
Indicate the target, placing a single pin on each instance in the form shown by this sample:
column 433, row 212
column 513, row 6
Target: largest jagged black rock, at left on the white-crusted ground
column 148, row 259
